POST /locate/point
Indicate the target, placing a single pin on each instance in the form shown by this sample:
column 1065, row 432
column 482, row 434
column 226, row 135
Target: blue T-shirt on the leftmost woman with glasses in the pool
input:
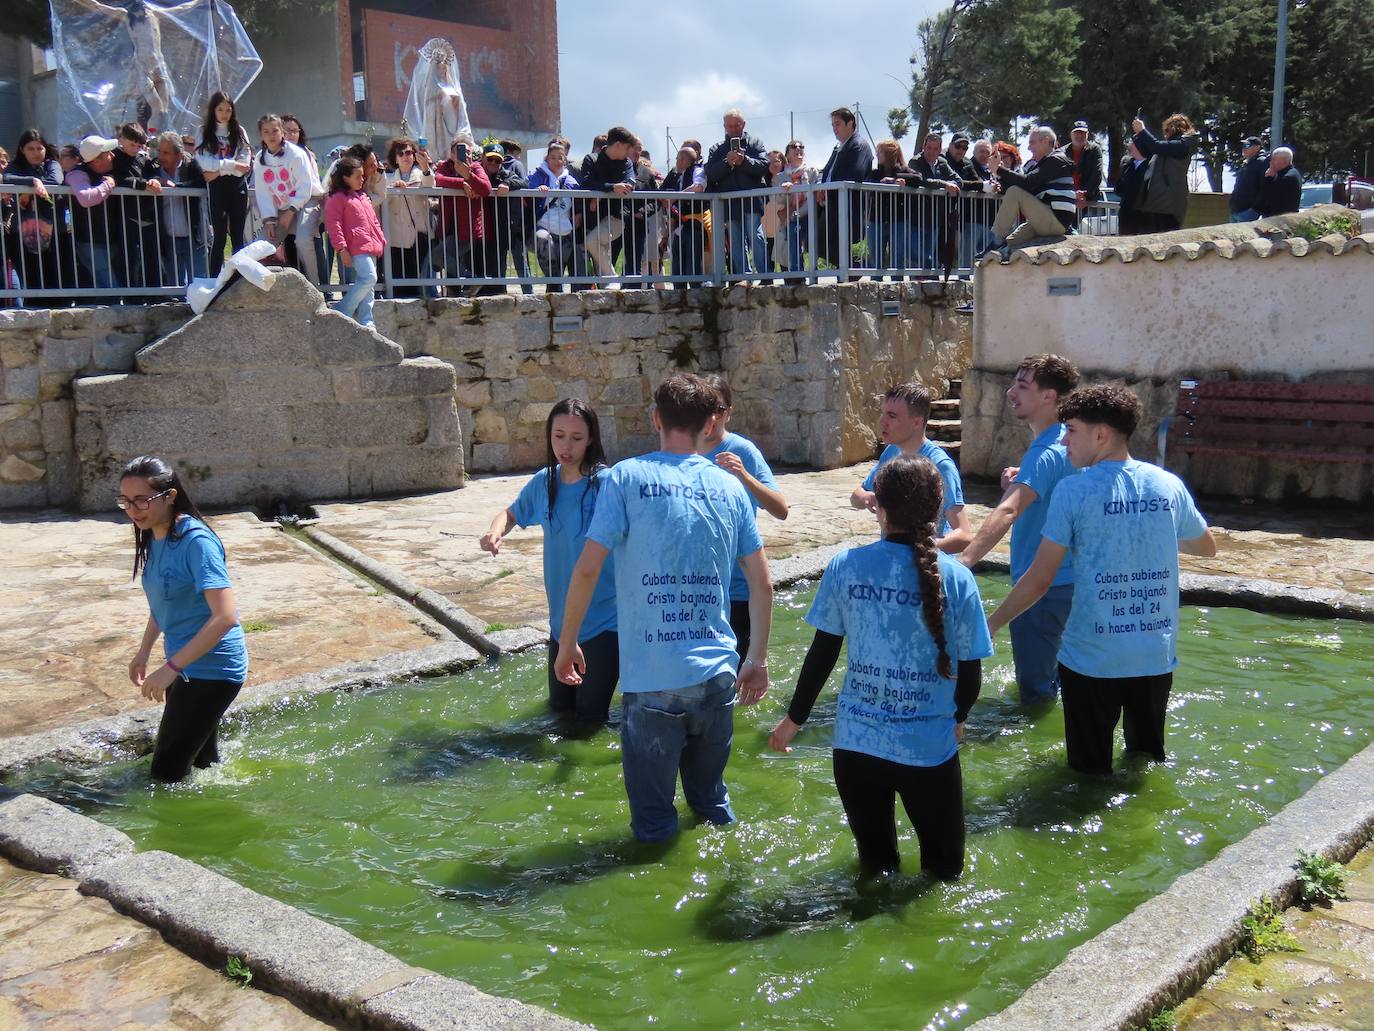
column 175, row 581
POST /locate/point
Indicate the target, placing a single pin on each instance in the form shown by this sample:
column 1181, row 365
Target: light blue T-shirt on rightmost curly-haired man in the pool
column 1122, row 523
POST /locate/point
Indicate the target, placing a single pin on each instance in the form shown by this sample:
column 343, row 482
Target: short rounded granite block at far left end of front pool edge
column 49, row 838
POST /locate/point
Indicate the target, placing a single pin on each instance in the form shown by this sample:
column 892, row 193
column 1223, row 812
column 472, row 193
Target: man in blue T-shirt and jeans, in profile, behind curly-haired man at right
column 1042, row 381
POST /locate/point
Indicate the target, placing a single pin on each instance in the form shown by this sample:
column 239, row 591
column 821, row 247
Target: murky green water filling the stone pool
column 453, row 824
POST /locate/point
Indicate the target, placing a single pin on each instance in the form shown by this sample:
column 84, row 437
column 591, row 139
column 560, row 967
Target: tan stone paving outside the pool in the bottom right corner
column 1329, row 985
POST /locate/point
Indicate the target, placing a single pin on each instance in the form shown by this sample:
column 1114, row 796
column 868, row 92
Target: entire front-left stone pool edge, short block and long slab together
column 319, row 967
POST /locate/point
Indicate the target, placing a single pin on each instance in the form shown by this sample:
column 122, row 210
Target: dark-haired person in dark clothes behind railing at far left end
column 35, row 239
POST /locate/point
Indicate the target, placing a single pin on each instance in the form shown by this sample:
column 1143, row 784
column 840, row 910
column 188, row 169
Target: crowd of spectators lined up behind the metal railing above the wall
column 190, row 201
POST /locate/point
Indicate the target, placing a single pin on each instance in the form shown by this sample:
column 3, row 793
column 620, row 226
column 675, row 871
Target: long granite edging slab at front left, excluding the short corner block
column 315, row 964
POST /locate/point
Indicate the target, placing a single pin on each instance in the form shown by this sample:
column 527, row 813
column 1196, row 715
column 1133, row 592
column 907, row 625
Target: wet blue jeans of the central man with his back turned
column 686, row 732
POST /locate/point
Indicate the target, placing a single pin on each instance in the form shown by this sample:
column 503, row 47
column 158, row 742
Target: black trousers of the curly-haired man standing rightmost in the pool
column 1093, row 706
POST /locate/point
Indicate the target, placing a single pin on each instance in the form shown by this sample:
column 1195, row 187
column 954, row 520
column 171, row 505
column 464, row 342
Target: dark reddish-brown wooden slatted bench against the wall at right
column 1309, row 423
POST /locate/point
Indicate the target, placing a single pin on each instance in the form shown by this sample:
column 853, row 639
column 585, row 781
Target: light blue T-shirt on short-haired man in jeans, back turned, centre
column 678, row 527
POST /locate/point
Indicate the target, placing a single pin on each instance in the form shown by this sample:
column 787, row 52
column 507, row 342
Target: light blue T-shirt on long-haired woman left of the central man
column 565, row 533
